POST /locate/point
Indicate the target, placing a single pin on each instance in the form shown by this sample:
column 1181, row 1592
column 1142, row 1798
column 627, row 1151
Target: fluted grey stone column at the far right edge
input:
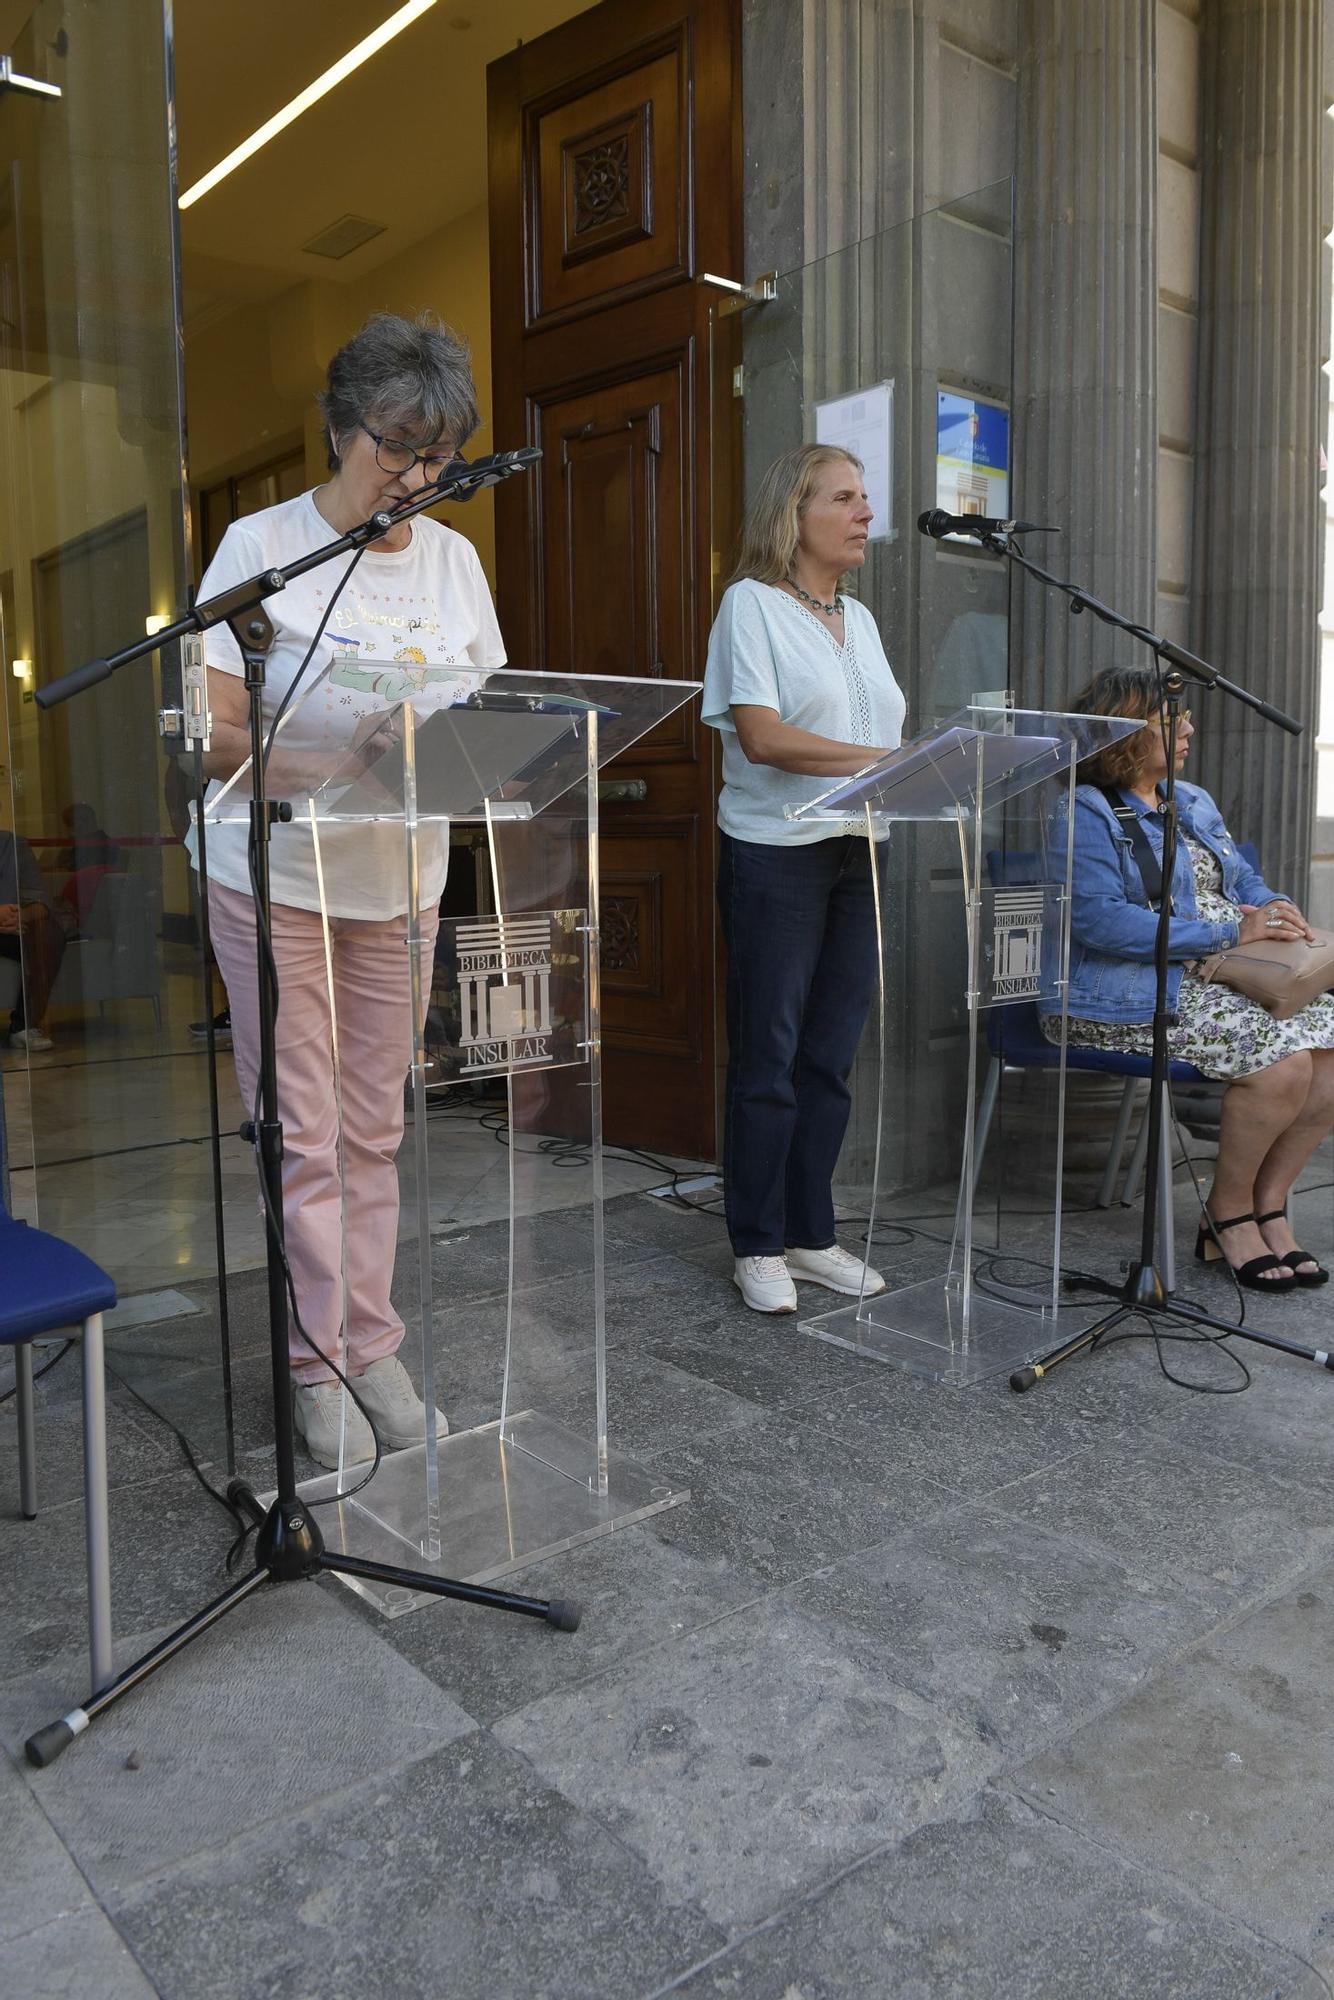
column 1261, row 401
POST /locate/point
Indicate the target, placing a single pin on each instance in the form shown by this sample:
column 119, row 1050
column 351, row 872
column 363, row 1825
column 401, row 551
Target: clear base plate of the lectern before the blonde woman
column 925, row 1331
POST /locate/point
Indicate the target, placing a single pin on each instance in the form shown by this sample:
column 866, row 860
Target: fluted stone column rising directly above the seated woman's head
column 1085, row 331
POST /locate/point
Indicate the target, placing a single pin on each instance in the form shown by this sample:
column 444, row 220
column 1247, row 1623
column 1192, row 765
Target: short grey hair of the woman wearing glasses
column 407, row 377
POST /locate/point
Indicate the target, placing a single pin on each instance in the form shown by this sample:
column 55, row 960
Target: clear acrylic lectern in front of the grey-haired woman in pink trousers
column 501, row 1169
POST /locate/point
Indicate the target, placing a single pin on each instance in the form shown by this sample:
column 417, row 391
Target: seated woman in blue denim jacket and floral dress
column 1281, row 1073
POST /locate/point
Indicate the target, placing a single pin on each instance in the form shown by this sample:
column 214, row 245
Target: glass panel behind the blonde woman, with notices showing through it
column 861, row 349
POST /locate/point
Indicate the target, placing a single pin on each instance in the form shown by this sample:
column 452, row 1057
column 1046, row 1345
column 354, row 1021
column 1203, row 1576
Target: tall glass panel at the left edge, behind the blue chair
column 93, row 527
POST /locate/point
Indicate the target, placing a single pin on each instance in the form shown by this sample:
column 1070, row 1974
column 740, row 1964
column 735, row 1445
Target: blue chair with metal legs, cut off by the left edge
column 45, row 1287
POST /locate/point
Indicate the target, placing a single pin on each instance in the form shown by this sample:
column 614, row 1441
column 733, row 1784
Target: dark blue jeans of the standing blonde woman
column 801, row 927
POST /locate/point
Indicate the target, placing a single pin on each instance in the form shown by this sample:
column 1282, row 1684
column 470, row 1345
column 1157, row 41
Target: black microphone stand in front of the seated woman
column 1145, row 1295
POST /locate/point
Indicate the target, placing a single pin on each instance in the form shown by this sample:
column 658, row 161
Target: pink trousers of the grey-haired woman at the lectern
column 335, row 1223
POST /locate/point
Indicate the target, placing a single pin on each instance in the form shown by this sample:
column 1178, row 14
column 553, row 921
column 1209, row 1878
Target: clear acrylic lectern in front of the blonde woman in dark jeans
column 983, row 1297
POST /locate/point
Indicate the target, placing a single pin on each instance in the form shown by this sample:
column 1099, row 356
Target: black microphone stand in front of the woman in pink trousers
column 289, row 1545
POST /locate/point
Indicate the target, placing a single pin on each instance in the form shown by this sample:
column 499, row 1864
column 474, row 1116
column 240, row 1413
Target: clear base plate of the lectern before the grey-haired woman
column 503, row 1503
